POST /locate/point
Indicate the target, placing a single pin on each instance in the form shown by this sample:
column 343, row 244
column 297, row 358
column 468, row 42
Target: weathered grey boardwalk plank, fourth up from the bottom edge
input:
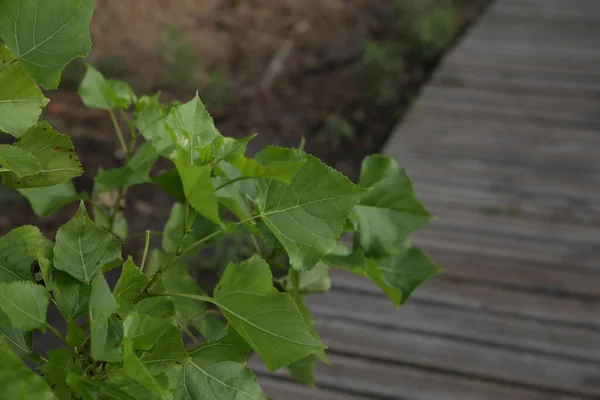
column 485, row 329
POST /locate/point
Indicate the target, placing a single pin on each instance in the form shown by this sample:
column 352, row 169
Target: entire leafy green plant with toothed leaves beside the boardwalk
column 126, row 342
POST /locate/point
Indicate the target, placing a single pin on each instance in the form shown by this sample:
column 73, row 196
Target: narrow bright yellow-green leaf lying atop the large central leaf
column 283, row 171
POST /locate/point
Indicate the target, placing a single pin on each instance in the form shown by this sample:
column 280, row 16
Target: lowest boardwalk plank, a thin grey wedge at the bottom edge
column 280, row 389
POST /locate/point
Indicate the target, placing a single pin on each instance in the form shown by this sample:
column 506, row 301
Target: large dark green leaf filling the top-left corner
column 45, row 36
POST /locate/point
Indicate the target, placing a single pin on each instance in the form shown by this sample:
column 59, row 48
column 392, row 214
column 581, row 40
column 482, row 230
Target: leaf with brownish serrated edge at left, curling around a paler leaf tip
column 55, row 154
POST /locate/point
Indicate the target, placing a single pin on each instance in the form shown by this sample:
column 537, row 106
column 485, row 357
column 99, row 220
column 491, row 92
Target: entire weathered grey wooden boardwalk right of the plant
column 504, row 147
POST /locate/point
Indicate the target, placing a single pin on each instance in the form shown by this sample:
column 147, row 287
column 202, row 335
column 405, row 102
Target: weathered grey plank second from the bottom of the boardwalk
column 387, row 382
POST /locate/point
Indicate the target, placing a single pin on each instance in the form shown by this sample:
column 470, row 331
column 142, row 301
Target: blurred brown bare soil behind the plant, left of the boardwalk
column 280, row 68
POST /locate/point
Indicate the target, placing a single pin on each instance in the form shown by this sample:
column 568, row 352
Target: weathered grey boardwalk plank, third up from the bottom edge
column 469, row 359
